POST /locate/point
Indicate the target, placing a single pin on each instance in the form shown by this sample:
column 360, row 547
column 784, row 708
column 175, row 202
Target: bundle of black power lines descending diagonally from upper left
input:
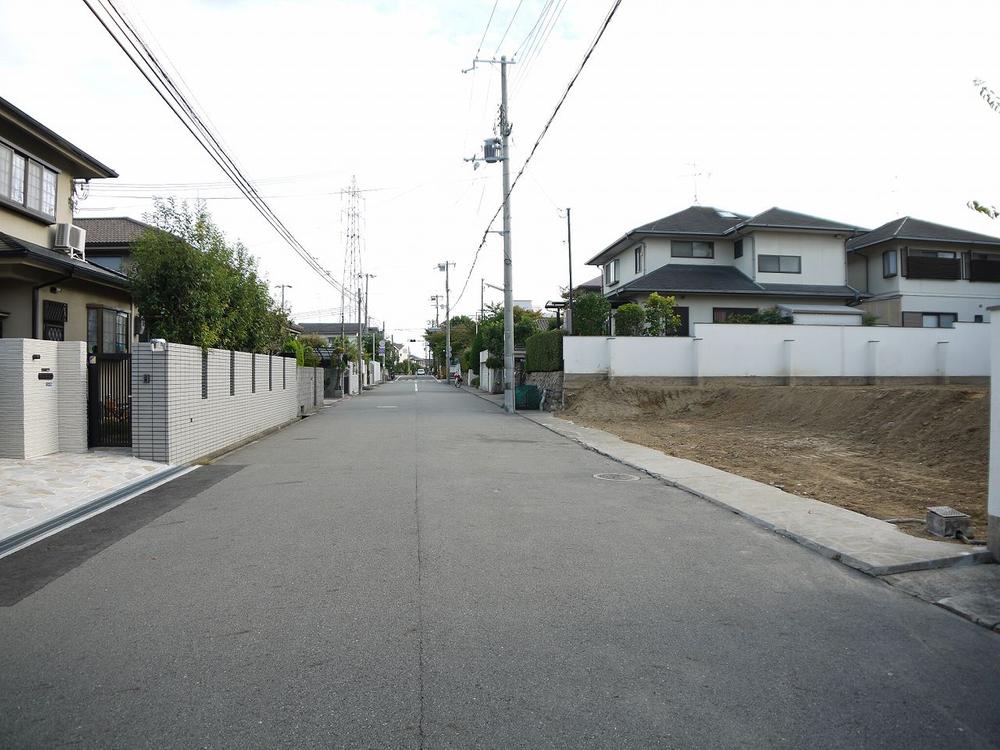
column 147, row 64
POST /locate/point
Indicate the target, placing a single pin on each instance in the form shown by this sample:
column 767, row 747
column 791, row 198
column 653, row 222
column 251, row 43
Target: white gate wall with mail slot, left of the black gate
column 39, row 417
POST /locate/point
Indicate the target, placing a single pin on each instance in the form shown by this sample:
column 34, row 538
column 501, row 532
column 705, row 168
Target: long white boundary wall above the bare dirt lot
column 726, row 350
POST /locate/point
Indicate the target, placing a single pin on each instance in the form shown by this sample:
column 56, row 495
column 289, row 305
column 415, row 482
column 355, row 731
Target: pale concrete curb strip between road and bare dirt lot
column 917, row 561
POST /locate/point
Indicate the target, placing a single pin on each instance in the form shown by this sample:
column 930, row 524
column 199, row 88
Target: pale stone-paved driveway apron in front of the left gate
column 41, row 495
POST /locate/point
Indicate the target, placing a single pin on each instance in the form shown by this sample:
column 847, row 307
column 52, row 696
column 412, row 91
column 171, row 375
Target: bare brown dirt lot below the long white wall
column 885, row 451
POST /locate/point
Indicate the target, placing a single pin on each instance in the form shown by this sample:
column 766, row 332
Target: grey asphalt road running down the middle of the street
column 417, row 569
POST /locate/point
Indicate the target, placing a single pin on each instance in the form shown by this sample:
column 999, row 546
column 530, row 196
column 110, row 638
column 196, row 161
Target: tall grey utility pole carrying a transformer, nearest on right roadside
column 490, row 155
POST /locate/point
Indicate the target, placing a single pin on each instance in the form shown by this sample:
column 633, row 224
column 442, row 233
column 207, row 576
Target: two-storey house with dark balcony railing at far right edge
column 916, row 273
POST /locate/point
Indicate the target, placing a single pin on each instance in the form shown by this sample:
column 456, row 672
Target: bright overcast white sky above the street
column 858, row 111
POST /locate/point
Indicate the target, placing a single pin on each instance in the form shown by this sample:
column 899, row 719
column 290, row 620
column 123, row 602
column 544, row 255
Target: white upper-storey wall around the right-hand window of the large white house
column 823, row 257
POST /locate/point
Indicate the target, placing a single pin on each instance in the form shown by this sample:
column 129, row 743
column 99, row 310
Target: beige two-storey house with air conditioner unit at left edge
column 48, row 288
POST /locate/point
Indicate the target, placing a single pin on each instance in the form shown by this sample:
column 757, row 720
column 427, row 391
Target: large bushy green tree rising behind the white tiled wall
column 193, row 286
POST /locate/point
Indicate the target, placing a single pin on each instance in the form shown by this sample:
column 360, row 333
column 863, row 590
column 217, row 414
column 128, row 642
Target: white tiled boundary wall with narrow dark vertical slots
column 187, row 404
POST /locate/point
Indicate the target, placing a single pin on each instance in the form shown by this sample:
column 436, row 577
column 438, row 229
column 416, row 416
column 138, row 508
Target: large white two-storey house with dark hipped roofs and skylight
column 720, row 263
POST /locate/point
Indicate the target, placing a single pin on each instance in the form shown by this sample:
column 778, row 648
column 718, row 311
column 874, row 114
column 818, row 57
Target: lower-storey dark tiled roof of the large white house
column 690, row 278
